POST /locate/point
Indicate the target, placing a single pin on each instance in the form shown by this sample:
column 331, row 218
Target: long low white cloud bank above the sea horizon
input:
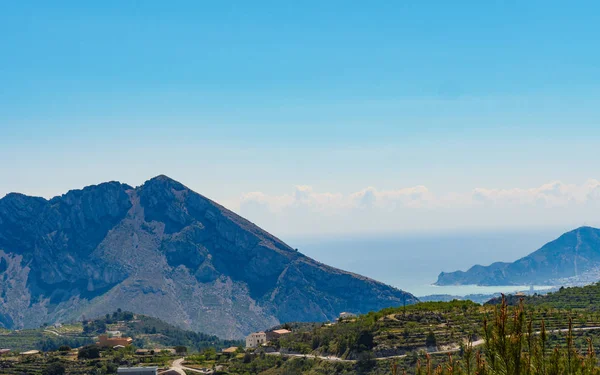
column 307, row 210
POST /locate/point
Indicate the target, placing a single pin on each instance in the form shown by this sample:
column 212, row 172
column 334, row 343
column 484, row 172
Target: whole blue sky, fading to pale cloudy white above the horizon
column 270, row 107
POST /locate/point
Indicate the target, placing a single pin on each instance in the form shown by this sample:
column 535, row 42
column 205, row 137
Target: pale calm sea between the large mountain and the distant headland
column 412, row 263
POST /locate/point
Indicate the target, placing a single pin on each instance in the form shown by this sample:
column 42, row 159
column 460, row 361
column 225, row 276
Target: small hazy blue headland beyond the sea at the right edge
column 573, row 256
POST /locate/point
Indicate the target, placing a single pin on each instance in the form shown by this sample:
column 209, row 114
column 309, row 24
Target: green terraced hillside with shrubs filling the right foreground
column 445, row 338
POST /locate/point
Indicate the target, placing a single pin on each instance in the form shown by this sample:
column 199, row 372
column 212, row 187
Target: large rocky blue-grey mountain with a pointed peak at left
column 165, row 251
